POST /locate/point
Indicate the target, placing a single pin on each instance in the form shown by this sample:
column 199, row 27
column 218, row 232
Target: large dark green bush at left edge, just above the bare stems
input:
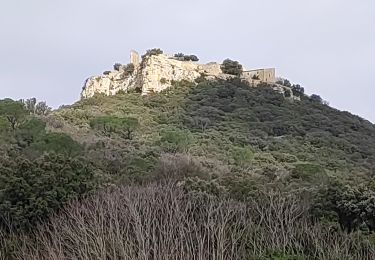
column 31, row 190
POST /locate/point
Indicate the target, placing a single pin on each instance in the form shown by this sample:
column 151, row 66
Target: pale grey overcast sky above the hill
column 48, row 48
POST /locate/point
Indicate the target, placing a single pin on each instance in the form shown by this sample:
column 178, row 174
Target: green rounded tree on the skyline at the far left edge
column 13, row 111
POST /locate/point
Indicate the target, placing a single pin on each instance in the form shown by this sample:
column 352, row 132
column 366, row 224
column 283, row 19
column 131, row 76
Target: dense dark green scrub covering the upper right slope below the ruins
column 263, row 118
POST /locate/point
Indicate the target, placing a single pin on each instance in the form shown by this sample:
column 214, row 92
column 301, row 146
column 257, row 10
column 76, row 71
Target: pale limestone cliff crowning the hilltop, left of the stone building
column 154, row 74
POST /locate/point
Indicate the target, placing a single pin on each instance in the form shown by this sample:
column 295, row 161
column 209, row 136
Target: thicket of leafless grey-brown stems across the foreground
column 163, row 222
